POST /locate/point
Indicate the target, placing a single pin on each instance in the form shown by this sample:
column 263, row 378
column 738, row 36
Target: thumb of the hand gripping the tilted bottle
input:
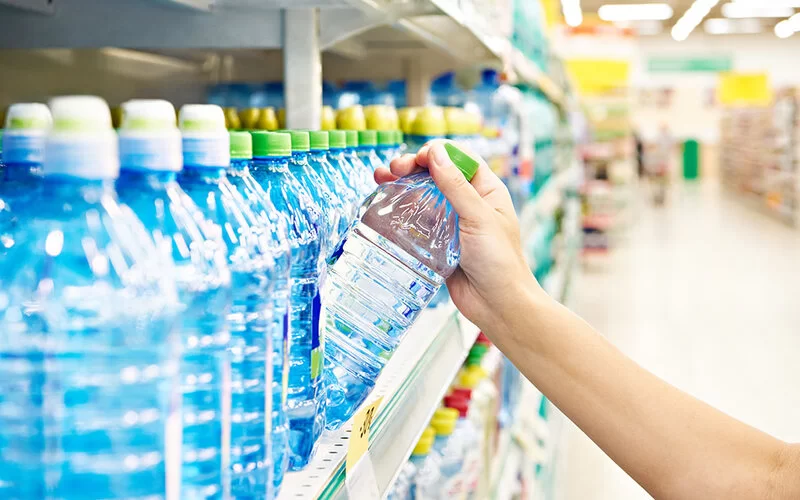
column 451, row 182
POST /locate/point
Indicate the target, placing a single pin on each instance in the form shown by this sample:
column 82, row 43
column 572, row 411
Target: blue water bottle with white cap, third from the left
column 150, row 159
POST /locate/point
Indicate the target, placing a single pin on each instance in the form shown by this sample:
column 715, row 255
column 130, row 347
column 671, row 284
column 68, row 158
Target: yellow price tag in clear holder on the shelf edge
column 360, row 479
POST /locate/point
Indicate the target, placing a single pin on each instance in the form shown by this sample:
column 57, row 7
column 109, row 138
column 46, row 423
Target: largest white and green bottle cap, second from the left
column 82, row 142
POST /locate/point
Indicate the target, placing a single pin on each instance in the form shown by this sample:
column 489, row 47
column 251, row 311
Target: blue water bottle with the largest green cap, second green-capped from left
column 272, row 154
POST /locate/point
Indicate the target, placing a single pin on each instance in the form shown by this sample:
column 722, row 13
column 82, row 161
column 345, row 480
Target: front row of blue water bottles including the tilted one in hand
column 97, row 306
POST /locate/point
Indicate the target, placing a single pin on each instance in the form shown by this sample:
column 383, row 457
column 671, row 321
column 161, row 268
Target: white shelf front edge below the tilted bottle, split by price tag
column 412, row 383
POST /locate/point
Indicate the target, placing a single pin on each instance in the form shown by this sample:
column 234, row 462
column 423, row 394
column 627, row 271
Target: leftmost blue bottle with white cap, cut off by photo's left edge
column 27, row 125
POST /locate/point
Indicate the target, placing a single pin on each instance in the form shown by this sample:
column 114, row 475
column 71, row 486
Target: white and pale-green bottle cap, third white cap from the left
column 149, row 138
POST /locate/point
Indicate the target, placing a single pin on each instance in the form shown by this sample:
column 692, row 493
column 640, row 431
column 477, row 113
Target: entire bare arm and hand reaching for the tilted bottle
column 669, row 442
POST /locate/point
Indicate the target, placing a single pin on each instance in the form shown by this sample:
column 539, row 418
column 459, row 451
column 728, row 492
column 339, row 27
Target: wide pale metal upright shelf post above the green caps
column 302, row 66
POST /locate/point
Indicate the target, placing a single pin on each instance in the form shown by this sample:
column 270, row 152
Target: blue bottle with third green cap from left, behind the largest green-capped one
column 323, row 197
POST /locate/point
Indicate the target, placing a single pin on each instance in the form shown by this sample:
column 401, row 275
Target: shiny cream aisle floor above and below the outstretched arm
column 704, row 293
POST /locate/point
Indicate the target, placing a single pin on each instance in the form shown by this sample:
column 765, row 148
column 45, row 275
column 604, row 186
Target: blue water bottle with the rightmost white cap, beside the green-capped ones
column 206, row 158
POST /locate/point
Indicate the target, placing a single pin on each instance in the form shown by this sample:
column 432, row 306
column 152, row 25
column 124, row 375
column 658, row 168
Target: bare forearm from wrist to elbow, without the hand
column 672, row 444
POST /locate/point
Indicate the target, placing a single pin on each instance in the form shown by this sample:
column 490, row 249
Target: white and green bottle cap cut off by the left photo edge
column 27, row 125
